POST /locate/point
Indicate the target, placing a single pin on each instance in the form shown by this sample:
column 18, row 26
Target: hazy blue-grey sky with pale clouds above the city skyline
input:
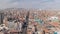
column 42, row 4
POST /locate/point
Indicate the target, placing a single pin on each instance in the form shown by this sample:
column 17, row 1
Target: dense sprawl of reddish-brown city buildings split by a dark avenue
column 29, row 21
